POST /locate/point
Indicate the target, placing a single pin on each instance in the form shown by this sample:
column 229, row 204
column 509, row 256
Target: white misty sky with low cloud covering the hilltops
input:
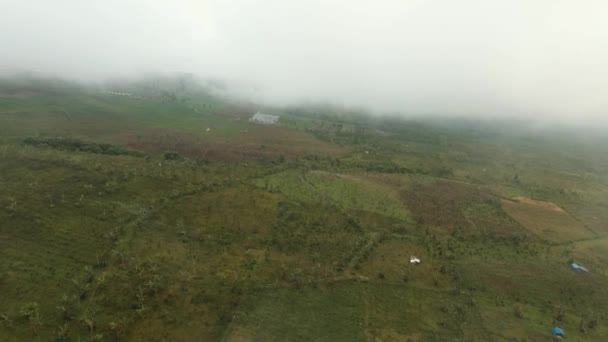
column 538, row 58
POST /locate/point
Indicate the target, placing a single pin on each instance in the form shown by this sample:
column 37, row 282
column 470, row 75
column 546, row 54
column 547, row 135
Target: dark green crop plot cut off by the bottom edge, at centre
column 347, row 311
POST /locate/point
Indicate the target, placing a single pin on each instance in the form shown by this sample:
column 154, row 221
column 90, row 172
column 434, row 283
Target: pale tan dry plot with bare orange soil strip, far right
column 546, row 220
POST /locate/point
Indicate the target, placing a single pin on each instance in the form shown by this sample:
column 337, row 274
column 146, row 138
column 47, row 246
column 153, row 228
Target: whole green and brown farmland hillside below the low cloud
column 168, row 216
